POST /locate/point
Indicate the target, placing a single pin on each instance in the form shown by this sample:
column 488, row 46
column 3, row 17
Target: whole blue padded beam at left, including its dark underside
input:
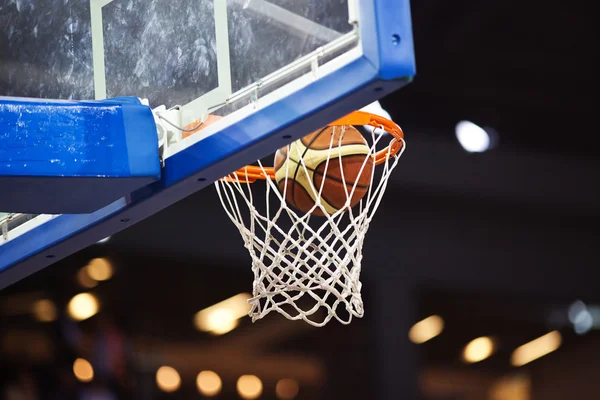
column 73, row 157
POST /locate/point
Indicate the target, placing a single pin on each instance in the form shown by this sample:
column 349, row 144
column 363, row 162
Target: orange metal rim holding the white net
column 252, row 173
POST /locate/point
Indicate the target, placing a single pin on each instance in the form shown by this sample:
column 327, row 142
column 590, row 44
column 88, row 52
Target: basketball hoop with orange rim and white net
column 307, row 266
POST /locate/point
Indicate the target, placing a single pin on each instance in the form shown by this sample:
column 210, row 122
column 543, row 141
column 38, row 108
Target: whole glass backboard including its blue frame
column 273, row 69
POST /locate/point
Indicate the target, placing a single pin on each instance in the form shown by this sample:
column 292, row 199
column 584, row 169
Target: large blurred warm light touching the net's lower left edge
column 223, row 317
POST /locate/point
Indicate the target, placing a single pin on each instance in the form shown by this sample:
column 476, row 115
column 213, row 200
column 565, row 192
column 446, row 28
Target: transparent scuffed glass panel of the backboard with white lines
column 193, row 53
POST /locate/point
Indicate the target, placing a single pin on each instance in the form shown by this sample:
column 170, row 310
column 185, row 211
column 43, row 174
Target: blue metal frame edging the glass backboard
column 387, row 64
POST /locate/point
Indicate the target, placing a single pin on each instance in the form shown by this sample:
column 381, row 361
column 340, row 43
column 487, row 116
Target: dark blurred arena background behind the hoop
column 498, row 243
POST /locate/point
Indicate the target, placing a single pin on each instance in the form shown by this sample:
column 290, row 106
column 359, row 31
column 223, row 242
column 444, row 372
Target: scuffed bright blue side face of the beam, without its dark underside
column 115, row 138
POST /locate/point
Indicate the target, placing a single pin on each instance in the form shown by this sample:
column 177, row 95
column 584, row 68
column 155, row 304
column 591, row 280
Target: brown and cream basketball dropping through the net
column 349, row 152
